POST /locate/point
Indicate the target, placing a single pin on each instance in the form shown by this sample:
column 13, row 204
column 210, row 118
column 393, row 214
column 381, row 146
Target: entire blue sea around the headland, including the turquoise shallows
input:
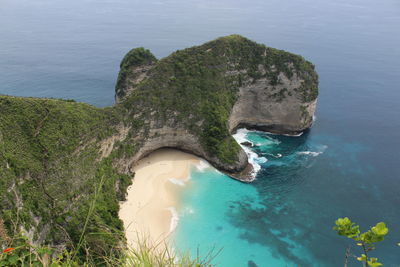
column 348, row 164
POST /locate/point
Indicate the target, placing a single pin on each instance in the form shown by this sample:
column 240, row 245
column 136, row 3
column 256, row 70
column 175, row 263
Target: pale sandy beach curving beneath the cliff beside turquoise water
column 148, row 210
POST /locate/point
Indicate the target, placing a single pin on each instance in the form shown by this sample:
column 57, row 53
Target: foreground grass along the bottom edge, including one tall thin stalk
column 18, row 251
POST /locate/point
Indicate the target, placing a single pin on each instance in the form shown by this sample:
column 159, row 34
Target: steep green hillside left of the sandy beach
column 50, row 166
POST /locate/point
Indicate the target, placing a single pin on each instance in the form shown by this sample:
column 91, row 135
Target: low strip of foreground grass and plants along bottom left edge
column 145, row 254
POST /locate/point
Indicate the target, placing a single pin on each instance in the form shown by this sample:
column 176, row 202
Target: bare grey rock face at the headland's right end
column 277, row 109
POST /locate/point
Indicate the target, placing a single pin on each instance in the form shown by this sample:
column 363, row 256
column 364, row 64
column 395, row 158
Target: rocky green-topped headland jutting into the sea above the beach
column 194, row 99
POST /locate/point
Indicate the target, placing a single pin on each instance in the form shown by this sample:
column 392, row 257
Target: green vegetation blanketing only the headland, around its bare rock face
column 193, row 84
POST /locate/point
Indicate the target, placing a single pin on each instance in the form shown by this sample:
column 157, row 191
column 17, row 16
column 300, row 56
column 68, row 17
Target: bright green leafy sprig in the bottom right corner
column 366, row 240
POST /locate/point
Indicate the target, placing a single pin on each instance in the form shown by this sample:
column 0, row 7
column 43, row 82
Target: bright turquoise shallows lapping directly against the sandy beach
column 204, row 225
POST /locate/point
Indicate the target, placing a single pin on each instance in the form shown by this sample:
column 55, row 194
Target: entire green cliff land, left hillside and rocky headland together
column 56, row 156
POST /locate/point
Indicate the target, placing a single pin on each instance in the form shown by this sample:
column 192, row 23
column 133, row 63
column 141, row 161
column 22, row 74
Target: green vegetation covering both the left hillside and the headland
column 51, row 166
